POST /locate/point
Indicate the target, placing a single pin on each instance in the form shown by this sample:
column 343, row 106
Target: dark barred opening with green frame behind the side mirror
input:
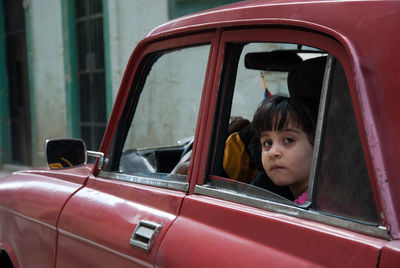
column 91, row 73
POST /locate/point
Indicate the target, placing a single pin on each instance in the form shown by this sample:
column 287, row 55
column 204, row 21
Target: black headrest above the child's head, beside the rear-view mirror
column 305, row 78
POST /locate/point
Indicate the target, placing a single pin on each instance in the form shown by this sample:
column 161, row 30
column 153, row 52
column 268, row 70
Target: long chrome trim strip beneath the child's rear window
column 291, row 210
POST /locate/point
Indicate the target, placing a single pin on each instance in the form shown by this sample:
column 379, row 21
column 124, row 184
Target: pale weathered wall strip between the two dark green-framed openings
column 47, row 69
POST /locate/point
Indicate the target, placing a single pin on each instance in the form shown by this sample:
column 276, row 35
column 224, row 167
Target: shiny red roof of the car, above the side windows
column 347, row 16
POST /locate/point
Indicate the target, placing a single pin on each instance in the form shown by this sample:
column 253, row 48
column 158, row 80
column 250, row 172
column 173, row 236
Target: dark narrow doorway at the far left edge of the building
column 18, row 82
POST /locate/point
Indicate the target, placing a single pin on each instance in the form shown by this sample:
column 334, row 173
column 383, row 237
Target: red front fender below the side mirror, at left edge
column 30, row 207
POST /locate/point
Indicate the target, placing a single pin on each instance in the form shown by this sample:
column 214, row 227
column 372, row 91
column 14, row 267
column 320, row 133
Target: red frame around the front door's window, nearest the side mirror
column 136, row 73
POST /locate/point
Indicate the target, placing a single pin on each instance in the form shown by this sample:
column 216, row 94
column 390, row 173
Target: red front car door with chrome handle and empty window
column 122, row 214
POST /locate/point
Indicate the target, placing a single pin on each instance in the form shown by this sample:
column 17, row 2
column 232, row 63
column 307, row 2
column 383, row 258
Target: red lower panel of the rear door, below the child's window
column 209, row 233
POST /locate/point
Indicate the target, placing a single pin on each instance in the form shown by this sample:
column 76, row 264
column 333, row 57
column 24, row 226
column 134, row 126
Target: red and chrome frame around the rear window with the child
column 209, row 185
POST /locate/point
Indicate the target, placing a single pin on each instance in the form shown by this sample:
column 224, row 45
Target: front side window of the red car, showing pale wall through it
column 161, row 115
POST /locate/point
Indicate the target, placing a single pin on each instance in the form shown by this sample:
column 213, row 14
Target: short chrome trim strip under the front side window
column 172, row 182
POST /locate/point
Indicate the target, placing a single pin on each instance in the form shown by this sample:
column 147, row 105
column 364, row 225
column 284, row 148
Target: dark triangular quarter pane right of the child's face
column 342, row 183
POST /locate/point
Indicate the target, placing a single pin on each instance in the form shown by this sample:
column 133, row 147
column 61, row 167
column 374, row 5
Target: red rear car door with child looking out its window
column 227, row 222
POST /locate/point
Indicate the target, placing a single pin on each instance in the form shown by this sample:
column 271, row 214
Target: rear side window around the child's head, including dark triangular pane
column 338, row 183
